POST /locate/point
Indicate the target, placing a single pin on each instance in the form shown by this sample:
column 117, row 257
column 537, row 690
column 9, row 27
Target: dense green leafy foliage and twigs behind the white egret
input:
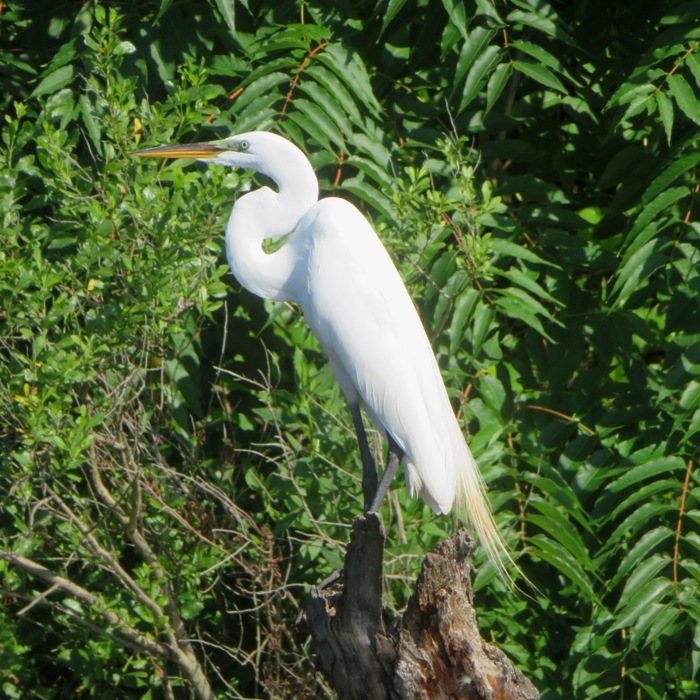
column 178, row 465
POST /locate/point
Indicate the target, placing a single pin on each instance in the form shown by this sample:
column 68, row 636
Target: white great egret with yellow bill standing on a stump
column 335, row 267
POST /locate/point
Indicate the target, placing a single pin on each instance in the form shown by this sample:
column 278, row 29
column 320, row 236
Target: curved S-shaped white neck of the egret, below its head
column 264, row 214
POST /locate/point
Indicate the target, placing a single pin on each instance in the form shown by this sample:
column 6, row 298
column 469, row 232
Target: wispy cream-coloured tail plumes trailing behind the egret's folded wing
column 471, row 506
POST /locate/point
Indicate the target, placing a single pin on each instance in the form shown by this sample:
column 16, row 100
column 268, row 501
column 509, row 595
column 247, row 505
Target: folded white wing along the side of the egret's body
column 358, row 307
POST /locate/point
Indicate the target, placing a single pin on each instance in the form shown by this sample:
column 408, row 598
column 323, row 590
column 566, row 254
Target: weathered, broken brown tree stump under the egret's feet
column 434, row 652
